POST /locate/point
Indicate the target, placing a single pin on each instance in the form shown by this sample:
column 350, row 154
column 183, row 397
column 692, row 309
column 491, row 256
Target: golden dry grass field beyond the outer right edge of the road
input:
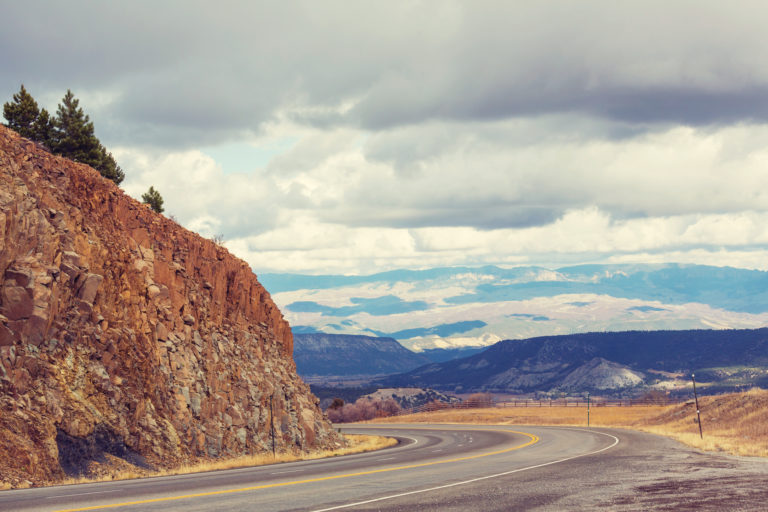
column 735, row 423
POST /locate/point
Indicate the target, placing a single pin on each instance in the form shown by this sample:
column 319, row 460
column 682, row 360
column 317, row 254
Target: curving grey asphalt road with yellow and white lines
column 455, row 468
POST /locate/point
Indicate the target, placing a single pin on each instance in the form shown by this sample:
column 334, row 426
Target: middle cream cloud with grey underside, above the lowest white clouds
column 482, row 182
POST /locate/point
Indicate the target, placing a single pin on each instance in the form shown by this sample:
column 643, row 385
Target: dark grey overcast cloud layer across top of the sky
column 187, row 73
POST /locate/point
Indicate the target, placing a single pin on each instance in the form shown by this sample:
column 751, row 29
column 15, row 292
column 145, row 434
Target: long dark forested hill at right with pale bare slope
column 606, row 363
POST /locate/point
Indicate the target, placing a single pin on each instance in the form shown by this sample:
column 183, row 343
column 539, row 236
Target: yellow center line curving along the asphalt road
column 533, row 440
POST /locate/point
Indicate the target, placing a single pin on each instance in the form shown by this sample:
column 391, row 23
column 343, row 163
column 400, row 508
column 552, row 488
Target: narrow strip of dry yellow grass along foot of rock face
column 118, row 469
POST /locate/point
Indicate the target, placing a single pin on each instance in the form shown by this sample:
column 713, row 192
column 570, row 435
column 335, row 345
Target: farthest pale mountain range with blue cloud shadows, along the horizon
column 463, row 306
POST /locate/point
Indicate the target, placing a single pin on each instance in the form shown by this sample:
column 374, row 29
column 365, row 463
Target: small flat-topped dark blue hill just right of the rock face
column 318, row 354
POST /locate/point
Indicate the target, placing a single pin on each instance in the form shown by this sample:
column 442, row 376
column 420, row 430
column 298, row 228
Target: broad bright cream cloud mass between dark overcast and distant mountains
column 323, row 206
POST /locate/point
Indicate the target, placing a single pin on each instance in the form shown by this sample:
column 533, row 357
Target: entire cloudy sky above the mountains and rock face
column 358, row 136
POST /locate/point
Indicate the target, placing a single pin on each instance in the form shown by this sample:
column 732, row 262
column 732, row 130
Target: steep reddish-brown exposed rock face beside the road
column 118, row 324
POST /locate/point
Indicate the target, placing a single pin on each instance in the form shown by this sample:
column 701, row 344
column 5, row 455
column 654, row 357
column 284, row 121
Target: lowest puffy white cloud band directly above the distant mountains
column 307, row 246
